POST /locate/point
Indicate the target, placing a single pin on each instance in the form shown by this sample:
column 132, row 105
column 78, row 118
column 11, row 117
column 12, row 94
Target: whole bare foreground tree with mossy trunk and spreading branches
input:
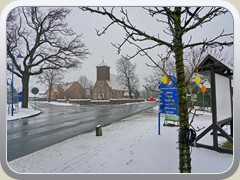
column 178, row 21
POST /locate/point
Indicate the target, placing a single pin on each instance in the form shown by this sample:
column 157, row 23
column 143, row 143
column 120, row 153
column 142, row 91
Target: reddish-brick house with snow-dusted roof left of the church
column 72, row 90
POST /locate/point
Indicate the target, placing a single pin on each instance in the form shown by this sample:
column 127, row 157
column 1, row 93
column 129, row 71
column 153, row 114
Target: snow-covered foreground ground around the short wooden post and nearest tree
column 130, row 146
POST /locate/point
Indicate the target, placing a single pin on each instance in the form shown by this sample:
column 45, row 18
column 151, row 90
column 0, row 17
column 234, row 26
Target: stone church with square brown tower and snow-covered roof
column 106, row 86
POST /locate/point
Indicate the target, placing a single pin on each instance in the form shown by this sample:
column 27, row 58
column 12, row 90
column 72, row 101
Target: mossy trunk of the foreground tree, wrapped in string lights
column 184, row 153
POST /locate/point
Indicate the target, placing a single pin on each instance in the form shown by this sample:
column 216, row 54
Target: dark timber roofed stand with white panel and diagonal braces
column 222, row 103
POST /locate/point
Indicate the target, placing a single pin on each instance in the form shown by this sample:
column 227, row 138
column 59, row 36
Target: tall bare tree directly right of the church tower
column 127, row 76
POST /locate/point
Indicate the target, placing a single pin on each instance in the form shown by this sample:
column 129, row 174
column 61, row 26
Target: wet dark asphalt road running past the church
column 58, row 123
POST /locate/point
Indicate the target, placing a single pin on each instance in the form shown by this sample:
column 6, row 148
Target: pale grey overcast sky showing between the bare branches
column 101, row 48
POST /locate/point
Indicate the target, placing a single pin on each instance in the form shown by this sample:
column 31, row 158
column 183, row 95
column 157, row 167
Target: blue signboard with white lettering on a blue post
column 168, row 99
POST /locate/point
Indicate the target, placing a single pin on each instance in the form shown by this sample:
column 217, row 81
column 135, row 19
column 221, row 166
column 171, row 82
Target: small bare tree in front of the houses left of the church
column 49, row 78
